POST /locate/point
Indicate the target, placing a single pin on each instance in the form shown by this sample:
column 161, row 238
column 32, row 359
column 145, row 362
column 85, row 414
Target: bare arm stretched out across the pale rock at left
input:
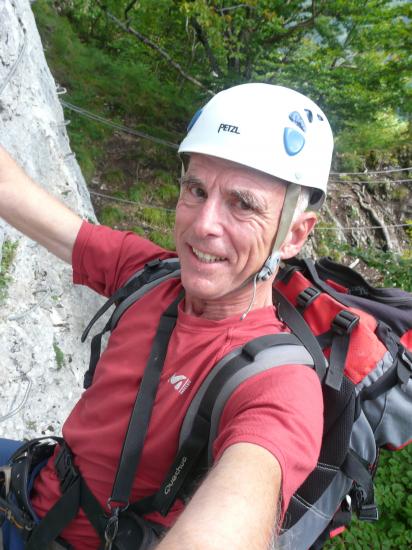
column 34, row 212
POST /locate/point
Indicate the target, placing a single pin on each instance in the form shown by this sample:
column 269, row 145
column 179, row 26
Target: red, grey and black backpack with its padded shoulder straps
column 358, row 339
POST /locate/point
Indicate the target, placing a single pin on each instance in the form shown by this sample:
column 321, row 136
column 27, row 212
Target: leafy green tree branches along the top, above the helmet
column 350, row 56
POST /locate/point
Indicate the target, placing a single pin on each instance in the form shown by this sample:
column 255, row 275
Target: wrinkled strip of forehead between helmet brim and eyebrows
column 205, row 166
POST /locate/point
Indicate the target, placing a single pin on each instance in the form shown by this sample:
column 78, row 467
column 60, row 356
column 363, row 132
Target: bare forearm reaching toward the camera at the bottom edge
column 234, row 508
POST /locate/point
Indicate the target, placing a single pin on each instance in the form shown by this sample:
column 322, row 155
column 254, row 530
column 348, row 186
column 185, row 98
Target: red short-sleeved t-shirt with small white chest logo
column 280, row 410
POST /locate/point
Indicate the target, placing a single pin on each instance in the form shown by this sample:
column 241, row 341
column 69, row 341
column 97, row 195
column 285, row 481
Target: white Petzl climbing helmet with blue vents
column 270, row 128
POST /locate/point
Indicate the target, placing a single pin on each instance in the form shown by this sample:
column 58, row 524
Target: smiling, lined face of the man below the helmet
column 226, row 219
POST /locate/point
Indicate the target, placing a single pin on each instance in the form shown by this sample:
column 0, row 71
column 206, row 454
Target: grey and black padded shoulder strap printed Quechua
column 201, row 422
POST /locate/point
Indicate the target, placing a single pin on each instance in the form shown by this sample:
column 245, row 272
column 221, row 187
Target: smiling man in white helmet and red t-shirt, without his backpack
column 255, row 156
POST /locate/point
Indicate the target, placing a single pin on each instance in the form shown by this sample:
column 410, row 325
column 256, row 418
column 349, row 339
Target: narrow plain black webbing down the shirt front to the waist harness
column 75, row 493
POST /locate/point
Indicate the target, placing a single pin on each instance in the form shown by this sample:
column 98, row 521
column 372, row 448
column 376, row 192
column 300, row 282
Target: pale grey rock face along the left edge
column 41, row 313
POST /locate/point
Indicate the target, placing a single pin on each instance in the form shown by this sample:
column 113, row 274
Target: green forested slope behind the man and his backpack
column 132, row 73
